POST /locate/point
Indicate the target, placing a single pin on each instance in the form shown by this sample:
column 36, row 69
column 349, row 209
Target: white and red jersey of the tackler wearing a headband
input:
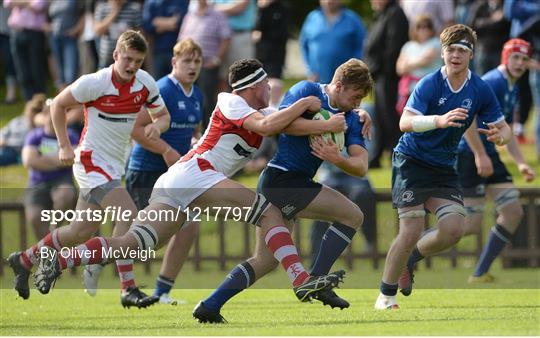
column 226, row 145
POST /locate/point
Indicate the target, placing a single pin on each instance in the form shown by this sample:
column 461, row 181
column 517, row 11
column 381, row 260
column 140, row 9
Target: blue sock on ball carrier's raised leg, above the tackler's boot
column 335, row 240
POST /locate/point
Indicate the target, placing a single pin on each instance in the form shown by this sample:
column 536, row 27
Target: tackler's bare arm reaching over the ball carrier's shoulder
column 274, row 123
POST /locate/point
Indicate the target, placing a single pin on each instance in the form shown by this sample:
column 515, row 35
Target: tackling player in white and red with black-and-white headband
column 201, row 179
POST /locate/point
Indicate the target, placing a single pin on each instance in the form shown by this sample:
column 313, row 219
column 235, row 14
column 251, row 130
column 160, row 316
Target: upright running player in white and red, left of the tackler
column 112, row 99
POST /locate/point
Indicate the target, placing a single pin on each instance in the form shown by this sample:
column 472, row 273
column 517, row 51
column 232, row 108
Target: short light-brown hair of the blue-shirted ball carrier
column 354, row 73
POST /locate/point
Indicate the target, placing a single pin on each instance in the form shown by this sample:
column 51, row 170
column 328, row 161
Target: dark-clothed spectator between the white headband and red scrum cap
column 492, row 28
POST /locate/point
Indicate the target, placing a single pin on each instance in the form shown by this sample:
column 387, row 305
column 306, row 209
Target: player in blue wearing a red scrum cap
column 484, row 174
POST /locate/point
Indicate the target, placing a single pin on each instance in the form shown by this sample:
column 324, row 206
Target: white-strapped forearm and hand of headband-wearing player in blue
column 412, row 122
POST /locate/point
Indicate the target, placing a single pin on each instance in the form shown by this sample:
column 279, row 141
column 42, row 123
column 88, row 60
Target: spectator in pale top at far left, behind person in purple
column 12, row 135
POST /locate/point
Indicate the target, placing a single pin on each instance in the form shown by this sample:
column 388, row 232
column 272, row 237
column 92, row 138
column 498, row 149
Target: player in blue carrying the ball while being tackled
column 288, row 183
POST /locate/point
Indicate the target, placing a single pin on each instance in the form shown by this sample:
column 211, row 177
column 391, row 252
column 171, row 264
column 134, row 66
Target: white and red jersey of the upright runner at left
column 110, row 110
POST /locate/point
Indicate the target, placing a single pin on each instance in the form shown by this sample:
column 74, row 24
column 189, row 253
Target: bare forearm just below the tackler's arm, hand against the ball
column 304, row 127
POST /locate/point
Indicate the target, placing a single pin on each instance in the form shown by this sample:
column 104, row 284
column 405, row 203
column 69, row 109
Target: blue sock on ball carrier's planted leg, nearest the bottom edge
column 240, row 278
